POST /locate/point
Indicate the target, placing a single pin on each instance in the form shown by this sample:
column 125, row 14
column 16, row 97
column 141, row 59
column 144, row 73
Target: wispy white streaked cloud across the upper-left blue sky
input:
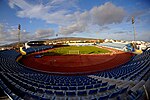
column 54, row 12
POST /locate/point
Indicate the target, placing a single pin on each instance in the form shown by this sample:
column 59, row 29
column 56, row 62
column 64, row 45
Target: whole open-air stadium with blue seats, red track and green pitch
column 36, row 73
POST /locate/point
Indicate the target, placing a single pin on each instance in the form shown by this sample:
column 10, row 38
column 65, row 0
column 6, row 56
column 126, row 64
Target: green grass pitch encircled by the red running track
column 81, row 49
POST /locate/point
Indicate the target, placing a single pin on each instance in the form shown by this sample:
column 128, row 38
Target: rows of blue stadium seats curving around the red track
column 128, row 81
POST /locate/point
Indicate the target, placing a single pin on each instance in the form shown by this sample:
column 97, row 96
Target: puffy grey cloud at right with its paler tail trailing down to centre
column 103, row 15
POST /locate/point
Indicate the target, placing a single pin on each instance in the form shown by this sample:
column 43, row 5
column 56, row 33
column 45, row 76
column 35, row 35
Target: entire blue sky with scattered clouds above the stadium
column 100, row 19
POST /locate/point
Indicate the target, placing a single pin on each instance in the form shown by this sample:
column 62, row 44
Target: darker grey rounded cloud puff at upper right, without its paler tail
column 107, row 14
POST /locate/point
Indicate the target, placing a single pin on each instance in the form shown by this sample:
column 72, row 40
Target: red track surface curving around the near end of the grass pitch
column 76, row 64
